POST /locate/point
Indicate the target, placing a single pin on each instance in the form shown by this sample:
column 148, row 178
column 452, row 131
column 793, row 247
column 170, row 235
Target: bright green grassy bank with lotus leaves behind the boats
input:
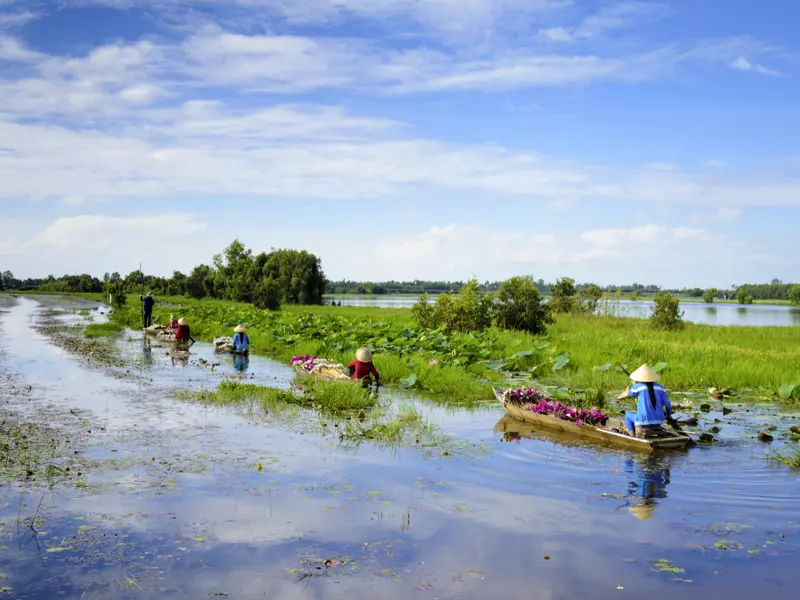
column 577, row 352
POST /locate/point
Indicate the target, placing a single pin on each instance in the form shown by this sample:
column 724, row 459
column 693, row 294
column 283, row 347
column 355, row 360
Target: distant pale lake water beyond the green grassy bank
column 756, row 315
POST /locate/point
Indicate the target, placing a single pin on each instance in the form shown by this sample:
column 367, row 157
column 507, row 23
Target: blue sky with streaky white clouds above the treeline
column 609, row 141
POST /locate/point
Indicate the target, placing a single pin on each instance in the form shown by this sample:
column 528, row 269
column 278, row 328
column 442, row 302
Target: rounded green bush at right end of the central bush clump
column 519, row 305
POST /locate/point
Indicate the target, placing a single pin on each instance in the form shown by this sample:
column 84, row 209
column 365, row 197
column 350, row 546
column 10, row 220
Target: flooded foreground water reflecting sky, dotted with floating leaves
column 170, row 502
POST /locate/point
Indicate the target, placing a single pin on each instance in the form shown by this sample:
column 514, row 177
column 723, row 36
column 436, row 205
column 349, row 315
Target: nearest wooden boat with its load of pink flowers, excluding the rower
column 531, row 405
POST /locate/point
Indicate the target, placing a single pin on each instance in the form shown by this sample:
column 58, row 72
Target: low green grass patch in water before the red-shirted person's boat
column 330, row 396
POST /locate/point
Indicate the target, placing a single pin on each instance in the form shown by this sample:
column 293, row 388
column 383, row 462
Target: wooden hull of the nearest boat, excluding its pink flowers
column 666, row 440
